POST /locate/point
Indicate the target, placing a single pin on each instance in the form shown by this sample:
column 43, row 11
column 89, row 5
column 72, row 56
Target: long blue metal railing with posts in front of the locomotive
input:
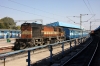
column 80, row 40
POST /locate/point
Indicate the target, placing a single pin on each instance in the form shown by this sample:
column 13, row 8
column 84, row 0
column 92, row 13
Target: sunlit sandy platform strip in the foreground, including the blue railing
column 45, row 54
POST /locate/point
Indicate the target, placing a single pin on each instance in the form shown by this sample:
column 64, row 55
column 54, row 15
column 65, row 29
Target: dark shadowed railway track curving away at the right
column 86, row 57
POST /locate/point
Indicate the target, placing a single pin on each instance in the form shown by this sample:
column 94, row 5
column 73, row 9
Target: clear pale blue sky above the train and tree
column 53, row 10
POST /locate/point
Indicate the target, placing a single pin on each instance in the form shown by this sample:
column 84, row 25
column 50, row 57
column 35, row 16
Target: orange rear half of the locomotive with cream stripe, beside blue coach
column 53, row 34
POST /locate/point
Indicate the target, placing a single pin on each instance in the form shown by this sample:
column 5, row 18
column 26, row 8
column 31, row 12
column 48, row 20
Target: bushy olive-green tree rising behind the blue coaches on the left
column 8, row 23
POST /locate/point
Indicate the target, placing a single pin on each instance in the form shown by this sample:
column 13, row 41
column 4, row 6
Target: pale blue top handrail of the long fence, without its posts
column 34, row 48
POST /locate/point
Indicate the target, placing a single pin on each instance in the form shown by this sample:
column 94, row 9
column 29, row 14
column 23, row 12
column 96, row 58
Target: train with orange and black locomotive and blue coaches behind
column 33, row 34
